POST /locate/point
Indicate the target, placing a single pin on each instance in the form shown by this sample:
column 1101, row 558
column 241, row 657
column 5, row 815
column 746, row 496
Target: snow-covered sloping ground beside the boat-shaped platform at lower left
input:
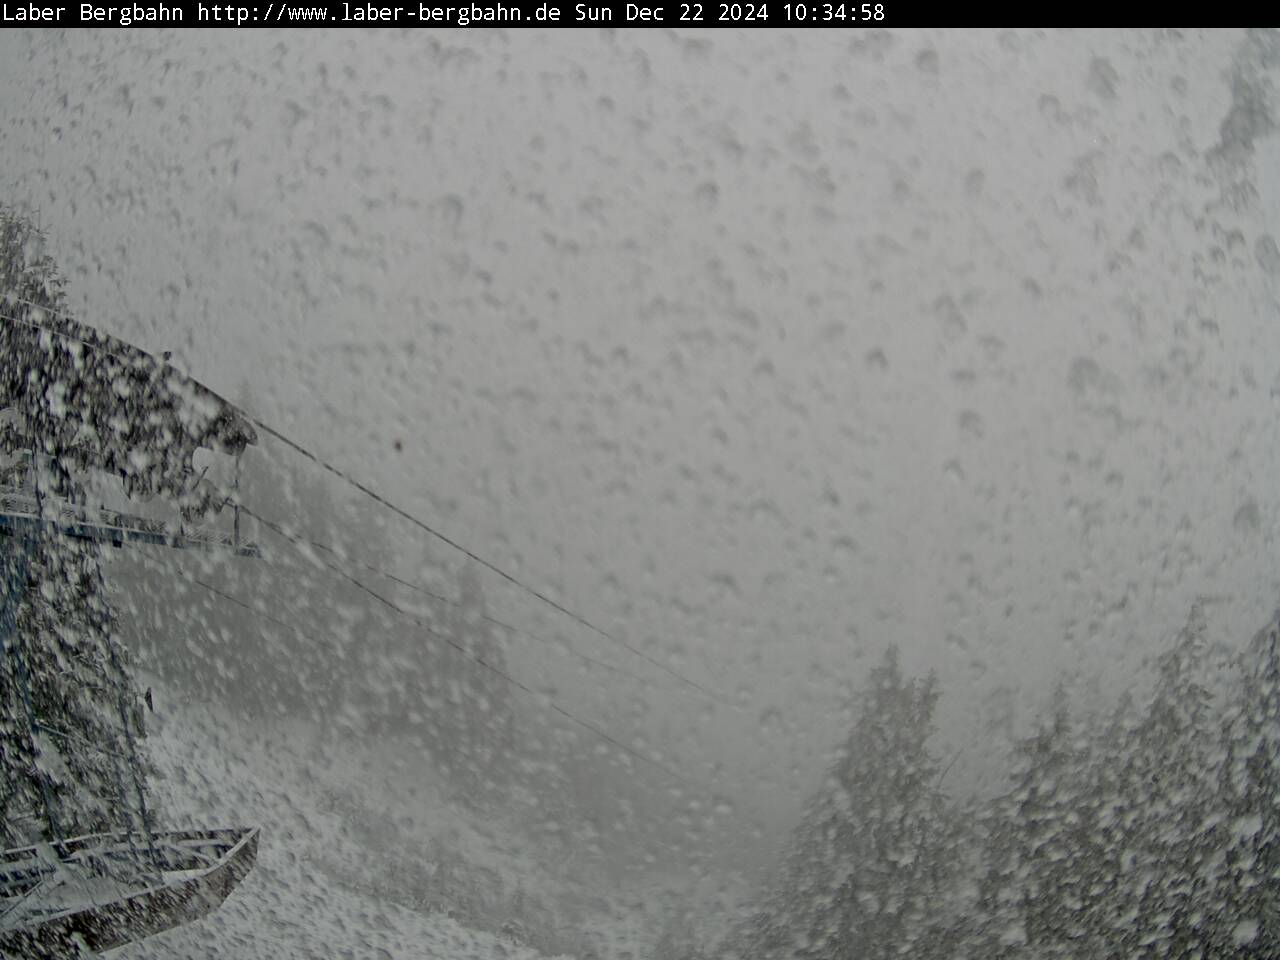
column 363, row 857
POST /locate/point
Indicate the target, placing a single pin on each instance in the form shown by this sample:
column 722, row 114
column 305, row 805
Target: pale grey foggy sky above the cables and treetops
column 764, row 350
